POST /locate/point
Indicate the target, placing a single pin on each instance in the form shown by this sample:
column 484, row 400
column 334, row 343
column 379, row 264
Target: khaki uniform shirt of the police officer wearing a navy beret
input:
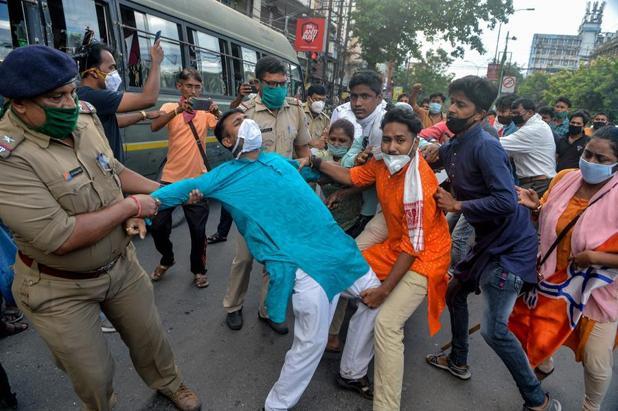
column 45, row 184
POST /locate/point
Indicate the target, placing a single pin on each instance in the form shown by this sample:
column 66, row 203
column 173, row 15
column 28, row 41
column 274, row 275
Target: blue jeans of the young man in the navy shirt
column 499, row 290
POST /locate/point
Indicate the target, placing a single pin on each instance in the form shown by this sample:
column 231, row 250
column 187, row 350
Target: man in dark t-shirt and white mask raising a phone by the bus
column 100, row 86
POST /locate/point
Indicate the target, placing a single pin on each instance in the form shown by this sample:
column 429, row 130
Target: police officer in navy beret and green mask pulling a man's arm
column 61, row 193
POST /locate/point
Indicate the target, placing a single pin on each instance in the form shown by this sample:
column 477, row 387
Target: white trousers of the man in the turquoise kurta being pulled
column 312, row 315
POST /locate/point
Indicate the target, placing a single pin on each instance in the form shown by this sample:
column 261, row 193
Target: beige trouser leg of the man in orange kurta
column 389, row 347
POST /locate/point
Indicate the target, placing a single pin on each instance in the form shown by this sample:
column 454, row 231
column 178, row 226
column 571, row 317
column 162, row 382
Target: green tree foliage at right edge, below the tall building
column 593, row 88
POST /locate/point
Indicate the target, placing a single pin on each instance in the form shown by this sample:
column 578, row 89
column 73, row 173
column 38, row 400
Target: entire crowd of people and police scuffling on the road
column 385, row 204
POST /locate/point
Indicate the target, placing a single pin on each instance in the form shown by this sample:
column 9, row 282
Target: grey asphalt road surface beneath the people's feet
column 234, row 370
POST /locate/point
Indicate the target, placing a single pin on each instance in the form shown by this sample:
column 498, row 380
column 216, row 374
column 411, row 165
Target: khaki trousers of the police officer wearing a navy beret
column 65, row 313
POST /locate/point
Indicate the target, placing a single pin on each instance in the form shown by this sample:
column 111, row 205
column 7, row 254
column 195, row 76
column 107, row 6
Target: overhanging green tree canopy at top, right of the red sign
column 389, row 30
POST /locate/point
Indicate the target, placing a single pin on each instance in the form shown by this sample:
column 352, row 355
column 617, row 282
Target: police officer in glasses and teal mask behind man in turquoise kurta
column 284, row 131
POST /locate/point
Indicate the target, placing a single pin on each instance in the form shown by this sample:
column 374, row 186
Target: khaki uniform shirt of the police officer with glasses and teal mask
column 281, row 131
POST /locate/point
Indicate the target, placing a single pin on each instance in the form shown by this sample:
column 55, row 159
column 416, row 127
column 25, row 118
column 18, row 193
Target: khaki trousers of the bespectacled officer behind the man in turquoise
column 238, row 283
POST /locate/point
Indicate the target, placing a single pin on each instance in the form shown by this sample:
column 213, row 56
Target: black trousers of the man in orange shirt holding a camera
column 197, row 216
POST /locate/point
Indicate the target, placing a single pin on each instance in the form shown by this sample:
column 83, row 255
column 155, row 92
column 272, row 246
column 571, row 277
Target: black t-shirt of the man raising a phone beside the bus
column 106, row 102
